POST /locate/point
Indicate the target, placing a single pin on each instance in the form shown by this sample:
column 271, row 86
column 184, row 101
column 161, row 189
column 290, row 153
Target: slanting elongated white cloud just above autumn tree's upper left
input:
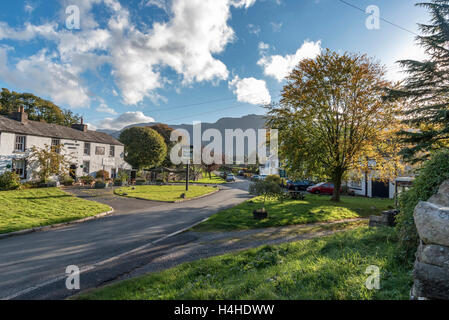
column 279, row 67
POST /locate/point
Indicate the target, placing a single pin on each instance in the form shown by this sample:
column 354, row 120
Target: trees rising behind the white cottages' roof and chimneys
column 38, row 109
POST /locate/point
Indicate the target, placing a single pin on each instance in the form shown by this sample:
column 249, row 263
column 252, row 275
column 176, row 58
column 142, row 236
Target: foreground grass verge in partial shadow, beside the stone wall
column 320, row 269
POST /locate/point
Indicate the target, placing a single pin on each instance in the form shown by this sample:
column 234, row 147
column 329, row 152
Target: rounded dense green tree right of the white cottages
column 144, row 147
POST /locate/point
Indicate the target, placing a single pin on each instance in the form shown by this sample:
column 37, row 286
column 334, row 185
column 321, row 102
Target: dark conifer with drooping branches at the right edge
column 426, row 89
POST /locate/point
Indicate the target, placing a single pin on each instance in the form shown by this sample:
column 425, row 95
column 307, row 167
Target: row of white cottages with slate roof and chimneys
column 87, row 151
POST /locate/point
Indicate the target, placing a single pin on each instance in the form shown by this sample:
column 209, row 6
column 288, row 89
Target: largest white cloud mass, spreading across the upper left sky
column 196, row 31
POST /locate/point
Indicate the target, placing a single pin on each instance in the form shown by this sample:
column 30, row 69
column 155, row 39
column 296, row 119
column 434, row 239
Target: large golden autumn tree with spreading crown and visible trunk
column 332, row 119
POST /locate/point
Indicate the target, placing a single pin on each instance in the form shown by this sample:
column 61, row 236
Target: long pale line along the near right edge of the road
column 101, row 263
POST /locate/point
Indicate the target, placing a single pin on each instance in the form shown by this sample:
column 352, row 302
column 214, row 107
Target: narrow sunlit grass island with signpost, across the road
column 164, row 193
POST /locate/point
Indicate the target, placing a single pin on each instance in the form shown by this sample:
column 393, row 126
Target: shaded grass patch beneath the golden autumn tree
column 313, row 209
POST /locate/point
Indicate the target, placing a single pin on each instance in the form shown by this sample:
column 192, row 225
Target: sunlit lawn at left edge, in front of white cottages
column 24, row 209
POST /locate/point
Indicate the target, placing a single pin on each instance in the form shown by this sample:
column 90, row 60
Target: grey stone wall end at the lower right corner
column 431, row 272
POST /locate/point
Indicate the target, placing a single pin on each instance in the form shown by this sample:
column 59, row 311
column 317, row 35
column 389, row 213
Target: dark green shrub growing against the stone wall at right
column 433, row 173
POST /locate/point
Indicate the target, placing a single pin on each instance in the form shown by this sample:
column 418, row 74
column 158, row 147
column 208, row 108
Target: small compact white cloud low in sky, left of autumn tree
column 250, row 90
